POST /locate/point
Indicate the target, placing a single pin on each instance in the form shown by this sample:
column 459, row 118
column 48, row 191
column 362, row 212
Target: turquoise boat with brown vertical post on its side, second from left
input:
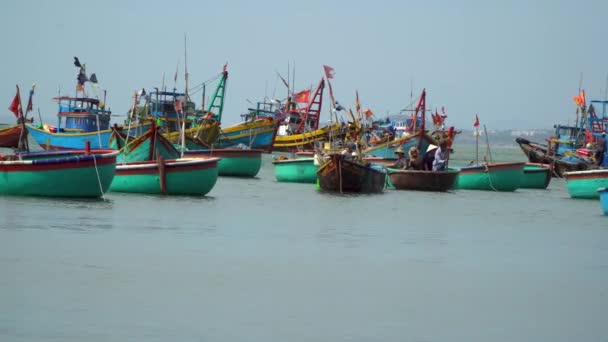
column 191, row 176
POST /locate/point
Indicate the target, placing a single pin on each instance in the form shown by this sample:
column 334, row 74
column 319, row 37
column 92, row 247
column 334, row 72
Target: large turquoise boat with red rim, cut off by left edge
column 74, row 173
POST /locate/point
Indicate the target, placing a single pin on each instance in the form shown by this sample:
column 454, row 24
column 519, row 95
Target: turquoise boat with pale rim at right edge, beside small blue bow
column 584, row 184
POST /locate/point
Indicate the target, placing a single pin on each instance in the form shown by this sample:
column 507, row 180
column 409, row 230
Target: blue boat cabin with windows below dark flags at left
column 82, row 115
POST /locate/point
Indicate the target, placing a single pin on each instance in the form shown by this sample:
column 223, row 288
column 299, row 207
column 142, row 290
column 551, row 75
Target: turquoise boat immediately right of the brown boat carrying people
column 493, row 176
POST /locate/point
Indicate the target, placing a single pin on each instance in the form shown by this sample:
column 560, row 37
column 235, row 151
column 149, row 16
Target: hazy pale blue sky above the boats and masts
column 516, row 64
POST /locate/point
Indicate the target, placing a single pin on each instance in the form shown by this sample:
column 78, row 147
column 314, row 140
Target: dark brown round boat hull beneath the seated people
column 423, row 180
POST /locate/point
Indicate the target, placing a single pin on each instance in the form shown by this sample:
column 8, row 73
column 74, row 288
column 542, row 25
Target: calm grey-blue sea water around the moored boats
column 258, row 260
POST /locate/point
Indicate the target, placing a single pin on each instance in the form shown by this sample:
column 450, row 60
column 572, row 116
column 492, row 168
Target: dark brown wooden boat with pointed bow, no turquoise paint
column 340, row 175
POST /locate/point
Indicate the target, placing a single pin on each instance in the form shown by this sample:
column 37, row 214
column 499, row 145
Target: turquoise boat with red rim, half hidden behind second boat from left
column 234, row 162
